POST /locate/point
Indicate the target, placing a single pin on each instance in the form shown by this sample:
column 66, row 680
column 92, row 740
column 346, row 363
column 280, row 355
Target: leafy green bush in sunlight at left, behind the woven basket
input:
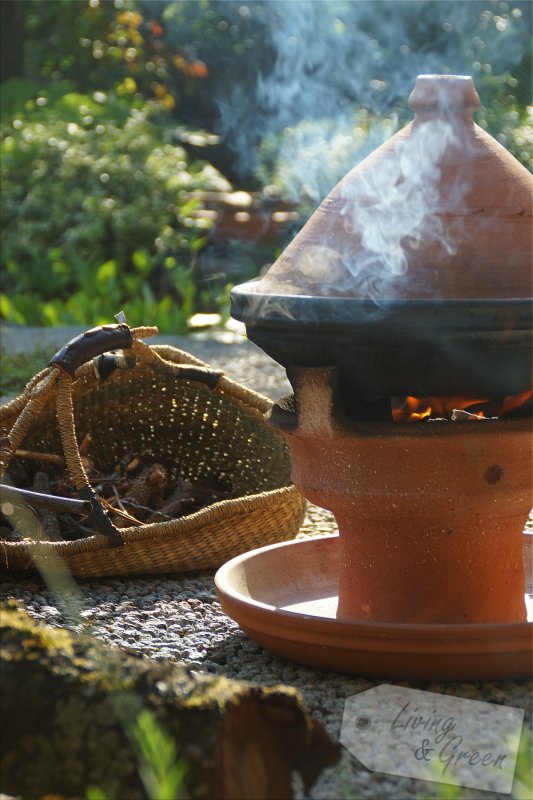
column 99, row 216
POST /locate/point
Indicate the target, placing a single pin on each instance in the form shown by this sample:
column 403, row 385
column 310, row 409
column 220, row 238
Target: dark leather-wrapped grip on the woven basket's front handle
column 92, row 343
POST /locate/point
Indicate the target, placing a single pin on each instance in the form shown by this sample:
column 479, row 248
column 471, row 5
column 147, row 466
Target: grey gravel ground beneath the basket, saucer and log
column 178, row 617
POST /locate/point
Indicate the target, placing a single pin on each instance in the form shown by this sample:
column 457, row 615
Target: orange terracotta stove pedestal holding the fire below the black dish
column 430, row 514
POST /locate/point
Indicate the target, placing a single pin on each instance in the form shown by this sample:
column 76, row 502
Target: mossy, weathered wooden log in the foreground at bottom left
column 69, row 705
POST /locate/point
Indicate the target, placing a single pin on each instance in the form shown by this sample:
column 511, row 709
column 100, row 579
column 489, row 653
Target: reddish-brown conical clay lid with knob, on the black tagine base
column 439, row 211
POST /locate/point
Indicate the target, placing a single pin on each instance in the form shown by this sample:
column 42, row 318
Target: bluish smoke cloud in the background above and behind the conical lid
column 327, row 60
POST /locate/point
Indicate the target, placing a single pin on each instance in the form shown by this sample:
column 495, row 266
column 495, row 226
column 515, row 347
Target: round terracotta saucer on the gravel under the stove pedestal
column 284, row 597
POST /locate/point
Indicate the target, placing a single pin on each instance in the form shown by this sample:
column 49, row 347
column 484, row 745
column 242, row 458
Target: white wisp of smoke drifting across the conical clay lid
column 396, row 208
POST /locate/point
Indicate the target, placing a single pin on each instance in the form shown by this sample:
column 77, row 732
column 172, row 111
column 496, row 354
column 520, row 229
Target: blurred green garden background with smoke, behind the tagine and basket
column 98, row 100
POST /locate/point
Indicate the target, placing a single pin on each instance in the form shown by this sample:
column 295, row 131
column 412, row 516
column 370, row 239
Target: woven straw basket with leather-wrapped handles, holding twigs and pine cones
column 171, row 406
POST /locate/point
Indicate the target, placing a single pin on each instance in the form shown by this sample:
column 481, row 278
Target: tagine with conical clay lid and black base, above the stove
column 414, row 274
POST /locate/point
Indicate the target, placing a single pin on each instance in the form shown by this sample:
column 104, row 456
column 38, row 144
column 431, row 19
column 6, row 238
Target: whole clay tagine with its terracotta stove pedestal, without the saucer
column 413, row 277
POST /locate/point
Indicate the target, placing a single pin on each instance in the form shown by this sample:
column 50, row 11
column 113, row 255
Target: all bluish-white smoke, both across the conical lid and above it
column 327, row 81
